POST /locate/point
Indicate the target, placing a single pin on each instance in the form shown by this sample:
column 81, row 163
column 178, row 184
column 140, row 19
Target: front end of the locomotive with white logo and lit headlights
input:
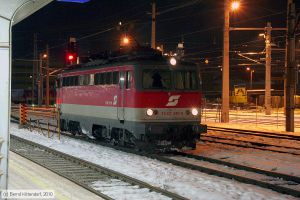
column 169, row 101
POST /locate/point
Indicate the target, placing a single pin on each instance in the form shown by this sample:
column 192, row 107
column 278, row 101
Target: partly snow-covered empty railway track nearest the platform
column 104, row 182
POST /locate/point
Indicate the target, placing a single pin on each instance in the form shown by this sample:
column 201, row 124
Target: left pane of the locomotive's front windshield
column 156, row 79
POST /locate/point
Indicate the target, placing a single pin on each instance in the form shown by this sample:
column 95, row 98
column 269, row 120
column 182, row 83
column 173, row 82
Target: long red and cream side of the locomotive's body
column 95, row 103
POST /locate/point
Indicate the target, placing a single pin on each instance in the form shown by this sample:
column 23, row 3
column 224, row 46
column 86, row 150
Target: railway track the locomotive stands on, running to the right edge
column 281, row 183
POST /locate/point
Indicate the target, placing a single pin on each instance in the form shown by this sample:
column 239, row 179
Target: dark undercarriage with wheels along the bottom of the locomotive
column 140, row 134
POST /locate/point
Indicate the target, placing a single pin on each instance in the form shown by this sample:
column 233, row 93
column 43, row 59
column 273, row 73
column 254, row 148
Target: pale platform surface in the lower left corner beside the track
column 26, row 175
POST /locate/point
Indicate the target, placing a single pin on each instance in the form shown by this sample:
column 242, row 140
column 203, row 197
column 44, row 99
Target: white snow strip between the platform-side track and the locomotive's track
column 188, row 183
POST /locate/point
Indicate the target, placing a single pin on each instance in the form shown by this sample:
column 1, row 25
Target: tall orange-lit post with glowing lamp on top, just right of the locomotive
column 225, row 70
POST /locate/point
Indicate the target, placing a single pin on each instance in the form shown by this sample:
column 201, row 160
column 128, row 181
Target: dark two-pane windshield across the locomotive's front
column 166, row 79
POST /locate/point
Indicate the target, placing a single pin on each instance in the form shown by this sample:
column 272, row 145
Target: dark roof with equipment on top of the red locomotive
column 133, row 57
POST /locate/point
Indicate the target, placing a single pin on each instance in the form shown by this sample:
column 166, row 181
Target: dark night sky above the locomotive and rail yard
column 200, row 25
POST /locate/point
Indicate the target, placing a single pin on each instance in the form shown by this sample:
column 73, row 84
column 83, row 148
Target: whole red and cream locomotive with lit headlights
column 137, row 99
